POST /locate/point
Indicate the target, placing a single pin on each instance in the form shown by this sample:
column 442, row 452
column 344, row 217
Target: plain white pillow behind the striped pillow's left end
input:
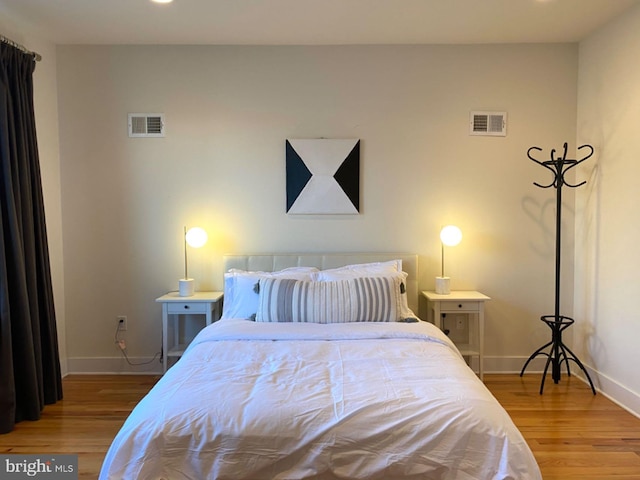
column 241, row 294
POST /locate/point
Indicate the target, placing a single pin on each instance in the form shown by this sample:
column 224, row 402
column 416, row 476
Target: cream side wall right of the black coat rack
column 607, row 224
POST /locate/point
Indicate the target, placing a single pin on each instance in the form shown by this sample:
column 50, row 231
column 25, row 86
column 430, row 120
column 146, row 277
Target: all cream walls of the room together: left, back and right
column 229, row 110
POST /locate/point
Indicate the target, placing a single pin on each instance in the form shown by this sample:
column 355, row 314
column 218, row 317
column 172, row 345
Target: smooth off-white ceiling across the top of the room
column 313, row 22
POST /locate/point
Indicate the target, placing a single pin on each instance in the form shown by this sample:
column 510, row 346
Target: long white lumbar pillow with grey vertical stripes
column 368, row 299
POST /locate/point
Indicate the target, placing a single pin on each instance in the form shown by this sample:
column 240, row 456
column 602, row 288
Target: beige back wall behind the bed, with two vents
column 221, row 166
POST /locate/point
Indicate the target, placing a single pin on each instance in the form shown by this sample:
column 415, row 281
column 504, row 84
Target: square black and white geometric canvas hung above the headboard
column 323, row 176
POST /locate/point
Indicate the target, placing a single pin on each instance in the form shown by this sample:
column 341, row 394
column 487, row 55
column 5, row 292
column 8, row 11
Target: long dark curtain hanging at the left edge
column 29, row 363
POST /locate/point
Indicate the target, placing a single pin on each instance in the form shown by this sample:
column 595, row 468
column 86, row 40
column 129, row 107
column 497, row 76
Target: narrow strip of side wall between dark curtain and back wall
column 46, row 111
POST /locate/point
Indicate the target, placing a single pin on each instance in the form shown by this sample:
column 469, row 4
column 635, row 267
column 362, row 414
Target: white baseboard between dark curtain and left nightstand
column 114, row 365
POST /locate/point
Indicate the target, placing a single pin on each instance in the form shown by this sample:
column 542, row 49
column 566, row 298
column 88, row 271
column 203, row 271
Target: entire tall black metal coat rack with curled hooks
column 559, row 352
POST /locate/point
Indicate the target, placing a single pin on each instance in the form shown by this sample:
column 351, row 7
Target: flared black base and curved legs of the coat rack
column 558, row 352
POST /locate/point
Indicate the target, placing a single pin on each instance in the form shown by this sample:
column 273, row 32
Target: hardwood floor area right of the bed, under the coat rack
column 572, row 433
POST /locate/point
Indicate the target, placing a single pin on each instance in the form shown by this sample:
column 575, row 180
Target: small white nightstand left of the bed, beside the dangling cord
column 174, row 307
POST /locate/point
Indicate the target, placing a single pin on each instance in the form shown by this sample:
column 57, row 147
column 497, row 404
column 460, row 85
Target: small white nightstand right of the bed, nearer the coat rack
column 470, row 303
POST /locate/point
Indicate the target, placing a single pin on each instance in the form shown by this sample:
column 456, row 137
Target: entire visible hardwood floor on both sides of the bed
column 573, row 434
